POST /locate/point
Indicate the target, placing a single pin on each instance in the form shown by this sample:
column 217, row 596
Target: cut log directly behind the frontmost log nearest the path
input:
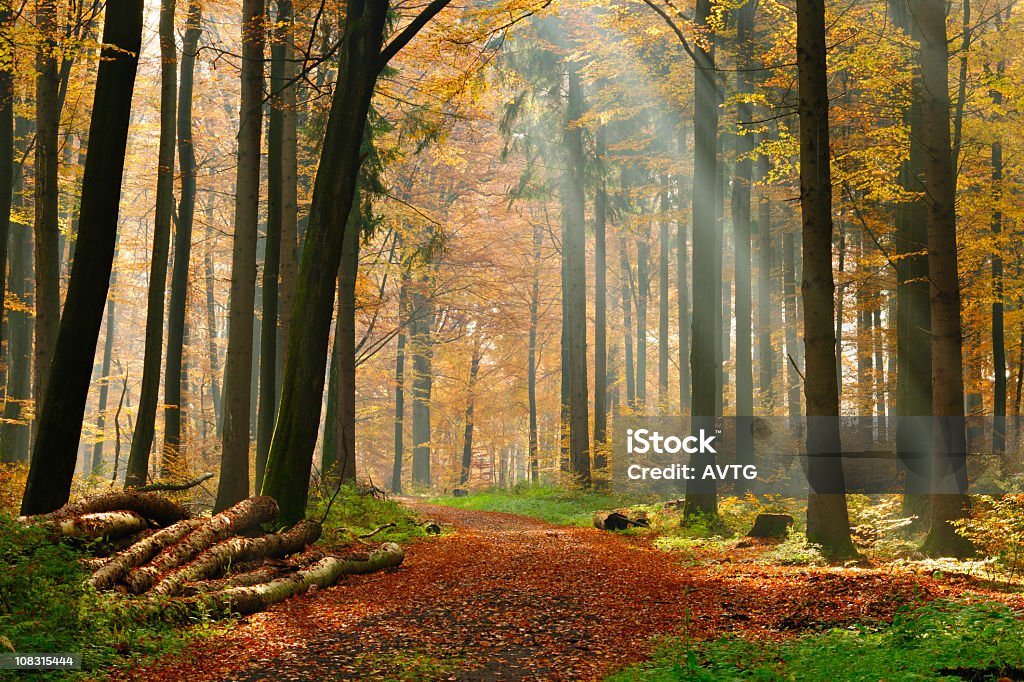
column 215, row 562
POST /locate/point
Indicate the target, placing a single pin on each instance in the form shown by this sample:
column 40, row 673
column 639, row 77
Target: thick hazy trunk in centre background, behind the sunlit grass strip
column 576, row 290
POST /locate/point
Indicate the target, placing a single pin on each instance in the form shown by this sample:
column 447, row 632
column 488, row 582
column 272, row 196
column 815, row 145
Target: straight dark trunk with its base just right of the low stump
column 828, row 521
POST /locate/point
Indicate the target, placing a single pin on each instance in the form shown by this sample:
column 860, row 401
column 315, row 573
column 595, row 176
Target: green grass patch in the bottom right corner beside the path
column 930, row 643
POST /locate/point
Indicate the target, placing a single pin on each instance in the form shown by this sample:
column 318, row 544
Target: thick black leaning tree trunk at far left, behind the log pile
column 60, row 422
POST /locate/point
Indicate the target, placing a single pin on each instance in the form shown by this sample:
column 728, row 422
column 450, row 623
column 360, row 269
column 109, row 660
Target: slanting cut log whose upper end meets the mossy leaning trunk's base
column 247, row 515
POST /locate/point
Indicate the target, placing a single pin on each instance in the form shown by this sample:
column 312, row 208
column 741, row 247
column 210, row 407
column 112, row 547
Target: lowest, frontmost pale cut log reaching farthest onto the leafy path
column 247, row 601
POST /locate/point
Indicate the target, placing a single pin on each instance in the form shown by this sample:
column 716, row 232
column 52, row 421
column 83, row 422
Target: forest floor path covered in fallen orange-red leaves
column 507, row 598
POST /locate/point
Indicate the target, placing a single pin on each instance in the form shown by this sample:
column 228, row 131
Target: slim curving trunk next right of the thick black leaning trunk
column 142, row 444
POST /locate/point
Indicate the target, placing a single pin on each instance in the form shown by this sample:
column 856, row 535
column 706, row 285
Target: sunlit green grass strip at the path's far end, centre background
column 557, row 505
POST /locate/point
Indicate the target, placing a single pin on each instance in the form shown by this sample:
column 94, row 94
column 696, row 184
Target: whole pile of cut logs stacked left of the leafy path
column 225, row 564
